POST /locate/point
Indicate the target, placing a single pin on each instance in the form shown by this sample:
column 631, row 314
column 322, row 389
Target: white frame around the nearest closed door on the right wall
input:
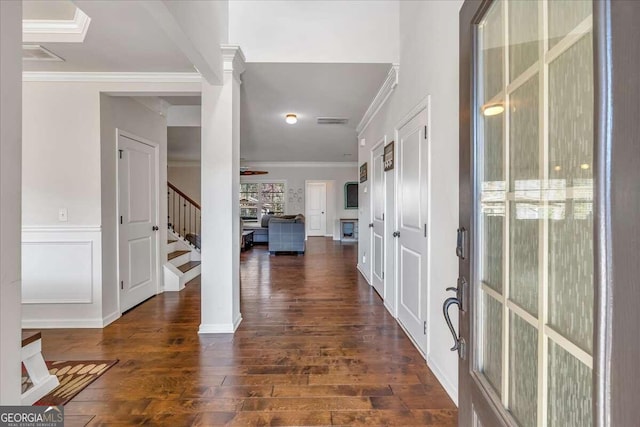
column 424, row 104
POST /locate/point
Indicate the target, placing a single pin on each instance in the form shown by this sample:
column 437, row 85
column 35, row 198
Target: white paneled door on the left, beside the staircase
column 138, row 231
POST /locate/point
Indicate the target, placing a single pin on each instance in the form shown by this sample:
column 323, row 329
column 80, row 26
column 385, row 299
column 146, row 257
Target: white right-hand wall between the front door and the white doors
column 429, row 66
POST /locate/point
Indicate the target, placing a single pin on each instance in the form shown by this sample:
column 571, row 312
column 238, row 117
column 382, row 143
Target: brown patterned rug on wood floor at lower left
column 74, row 376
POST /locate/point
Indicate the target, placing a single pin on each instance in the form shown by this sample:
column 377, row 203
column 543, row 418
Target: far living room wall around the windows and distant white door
column 296, row 174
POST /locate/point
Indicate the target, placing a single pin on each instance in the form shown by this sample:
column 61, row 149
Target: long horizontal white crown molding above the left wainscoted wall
column 44, row 76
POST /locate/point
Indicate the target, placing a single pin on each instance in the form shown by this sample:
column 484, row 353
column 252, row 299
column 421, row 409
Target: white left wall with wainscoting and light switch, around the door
column 69, row 162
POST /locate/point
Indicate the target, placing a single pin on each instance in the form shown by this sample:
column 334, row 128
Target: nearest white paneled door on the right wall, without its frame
column 412, row 225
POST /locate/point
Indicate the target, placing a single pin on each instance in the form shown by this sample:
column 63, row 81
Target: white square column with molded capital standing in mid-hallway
column 220, row 292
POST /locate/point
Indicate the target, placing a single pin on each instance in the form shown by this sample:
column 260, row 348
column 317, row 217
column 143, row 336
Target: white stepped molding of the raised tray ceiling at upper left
column 56, row 31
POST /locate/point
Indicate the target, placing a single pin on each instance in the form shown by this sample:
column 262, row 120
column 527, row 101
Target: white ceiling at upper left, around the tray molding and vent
column 122, row 37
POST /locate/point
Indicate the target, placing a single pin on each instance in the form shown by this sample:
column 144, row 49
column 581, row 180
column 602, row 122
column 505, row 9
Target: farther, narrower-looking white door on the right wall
column 377, row 220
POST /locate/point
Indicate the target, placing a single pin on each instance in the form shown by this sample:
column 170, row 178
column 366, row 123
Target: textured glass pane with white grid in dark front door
column 534, row 241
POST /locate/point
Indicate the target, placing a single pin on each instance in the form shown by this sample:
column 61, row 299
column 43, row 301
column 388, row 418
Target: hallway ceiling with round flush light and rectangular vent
column 271, row 90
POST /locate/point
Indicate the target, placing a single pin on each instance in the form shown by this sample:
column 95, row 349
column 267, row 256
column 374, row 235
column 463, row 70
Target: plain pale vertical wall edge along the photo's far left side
column 10, row 199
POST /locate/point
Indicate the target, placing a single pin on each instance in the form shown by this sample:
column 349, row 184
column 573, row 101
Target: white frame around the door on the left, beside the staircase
column 159, row 262
